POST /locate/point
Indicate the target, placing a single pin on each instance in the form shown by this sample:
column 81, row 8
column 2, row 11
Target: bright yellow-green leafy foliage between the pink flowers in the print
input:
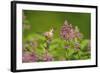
column 57, row 48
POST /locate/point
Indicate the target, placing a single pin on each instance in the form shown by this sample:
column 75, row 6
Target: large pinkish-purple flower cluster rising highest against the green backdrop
column 67, row 32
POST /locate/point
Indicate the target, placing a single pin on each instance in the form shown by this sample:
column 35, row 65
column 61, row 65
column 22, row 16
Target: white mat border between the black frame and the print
column 21, row 66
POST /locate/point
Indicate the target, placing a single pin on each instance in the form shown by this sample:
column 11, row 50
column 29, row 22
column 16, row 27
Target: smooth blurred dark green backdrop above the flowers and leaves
column 42, row 21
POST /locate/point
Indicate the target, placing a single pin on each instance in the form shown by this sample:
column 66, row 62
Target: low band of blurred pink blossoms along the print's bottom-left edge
column 31, row 57
